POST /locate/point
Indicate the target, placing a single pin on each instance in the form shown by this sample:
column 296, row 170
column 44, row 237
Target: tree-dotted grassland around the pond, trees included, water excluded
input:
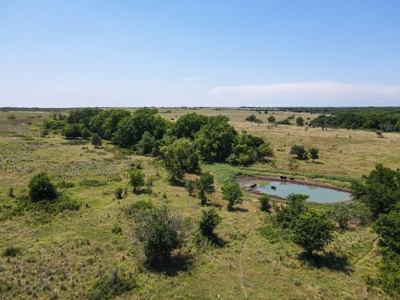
column 143, row 214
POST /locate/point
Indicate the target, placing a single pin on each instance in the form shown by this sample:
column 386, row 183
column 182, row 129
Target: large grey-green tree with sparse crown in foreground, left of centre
column 159, row 231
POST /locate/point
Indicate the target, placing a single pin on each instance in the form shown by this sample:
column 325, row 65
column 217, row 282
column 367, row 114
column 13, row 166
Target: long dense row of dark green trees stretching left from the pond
column 146, row 132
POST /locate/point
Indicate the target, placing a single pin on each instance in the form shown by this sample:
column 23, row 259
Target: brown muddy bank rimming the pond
column 245, row 181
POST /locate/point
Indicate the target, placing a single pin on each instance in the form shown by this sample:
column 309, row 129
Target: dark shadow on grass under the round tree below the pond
column 327, row 260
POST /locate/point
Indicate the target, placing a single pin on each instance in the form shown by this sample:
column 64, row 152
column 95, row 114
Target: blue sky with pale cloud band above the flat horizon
column 199, row 53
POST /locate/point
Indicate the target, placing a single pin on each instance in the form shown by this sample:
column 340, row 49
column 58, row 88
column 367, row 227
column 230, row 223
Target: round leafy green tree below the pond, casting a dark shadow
column 313, row 231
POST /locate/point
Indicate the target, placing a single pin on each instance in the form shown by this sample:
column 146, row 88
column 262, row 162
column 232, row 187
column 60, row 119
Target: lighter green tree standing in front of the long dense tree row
column 179, row 158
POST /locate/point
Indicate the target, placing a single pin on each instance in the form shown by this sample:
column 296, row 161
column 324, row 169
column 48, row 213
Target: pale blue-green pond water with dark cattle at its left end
column 317, row 194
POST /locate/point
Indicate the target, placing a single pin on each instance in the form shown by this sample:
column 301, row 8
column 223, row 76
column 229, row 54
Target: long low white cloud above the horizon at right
column 311, row 94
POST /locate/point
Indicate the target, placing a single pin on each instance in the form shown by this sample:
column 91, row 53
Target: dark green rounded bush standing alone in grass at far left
column 41, row 188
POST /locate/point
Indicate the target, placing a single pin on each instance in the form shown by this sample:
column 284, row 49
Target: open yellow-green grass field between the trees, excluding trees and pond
column 62, row 256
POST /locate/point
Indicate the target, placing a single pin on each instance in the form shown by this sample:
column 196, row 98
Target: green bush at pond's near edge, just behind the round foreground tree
column 295, row 207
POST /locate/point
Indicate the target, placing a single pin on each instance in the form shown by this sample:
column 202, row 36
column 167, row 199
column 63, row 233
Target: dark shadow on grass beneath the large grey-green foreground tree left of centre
column 178, row 262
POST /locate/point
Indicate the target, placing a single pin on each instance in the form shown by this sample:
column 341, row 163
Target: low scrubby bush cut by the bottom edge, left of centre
column 110, row 286
